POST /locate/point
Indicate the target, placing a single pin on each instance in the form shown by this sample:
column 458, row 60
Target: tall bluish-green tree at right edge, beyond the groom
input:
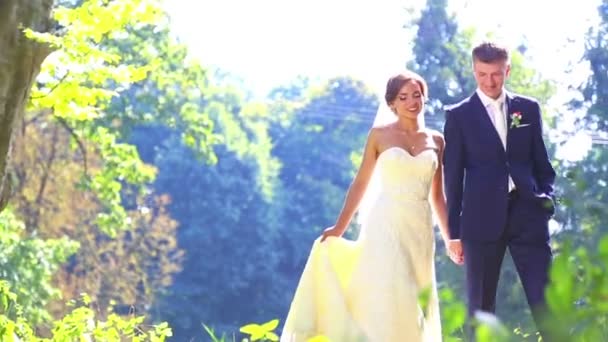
column 584, row 182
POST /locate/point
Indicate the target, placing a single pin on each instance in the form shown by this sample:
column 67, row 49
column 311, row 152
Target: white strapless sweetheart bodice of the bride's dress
column 405, row 176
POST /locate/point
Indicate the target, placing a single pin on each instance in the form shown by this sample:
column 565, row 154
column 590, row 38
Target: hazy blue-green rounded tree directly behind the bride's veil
column 316, row 141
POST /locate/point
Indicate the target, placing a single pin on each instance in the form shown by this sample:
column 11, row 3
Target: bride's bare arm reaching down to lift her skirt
column 358, row 186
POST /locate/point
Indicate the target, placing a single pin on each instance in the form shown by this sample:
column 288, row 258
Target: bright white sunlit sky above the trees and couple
column 270, row 42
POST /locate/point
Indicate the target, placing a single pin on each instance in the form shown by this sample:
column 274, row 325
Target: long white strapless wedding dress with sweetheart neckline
column 370, row 289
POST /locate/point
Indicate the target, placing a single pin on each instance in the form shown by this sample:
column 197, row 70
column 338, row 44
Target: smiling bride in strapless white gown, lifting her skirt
column 382, row 286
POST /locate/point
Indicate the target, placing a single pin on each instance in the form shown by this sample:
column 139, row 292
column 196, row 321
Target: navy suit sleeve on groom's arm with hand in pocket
column 543, row 170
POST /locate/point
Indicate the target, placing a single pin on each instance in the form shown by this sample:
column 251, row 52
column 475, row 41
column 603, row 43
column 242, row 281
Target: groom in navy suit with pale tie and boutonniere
column 499, row 185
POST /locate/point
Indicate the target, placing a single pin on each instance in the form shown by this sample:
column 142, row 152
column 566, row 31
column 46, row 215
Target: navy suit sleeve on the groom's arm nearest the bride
column 453, row 166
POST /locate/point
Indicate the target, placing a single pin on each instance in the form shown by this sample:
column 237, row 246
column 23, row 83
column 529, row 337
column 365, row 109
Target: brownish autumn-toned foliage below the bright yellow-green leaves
column 130, row 268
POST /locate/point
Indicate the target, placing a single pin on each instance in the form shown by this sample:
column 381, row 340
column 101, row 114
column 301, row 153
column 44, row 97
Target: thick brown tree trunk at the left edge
column 20, row 60
